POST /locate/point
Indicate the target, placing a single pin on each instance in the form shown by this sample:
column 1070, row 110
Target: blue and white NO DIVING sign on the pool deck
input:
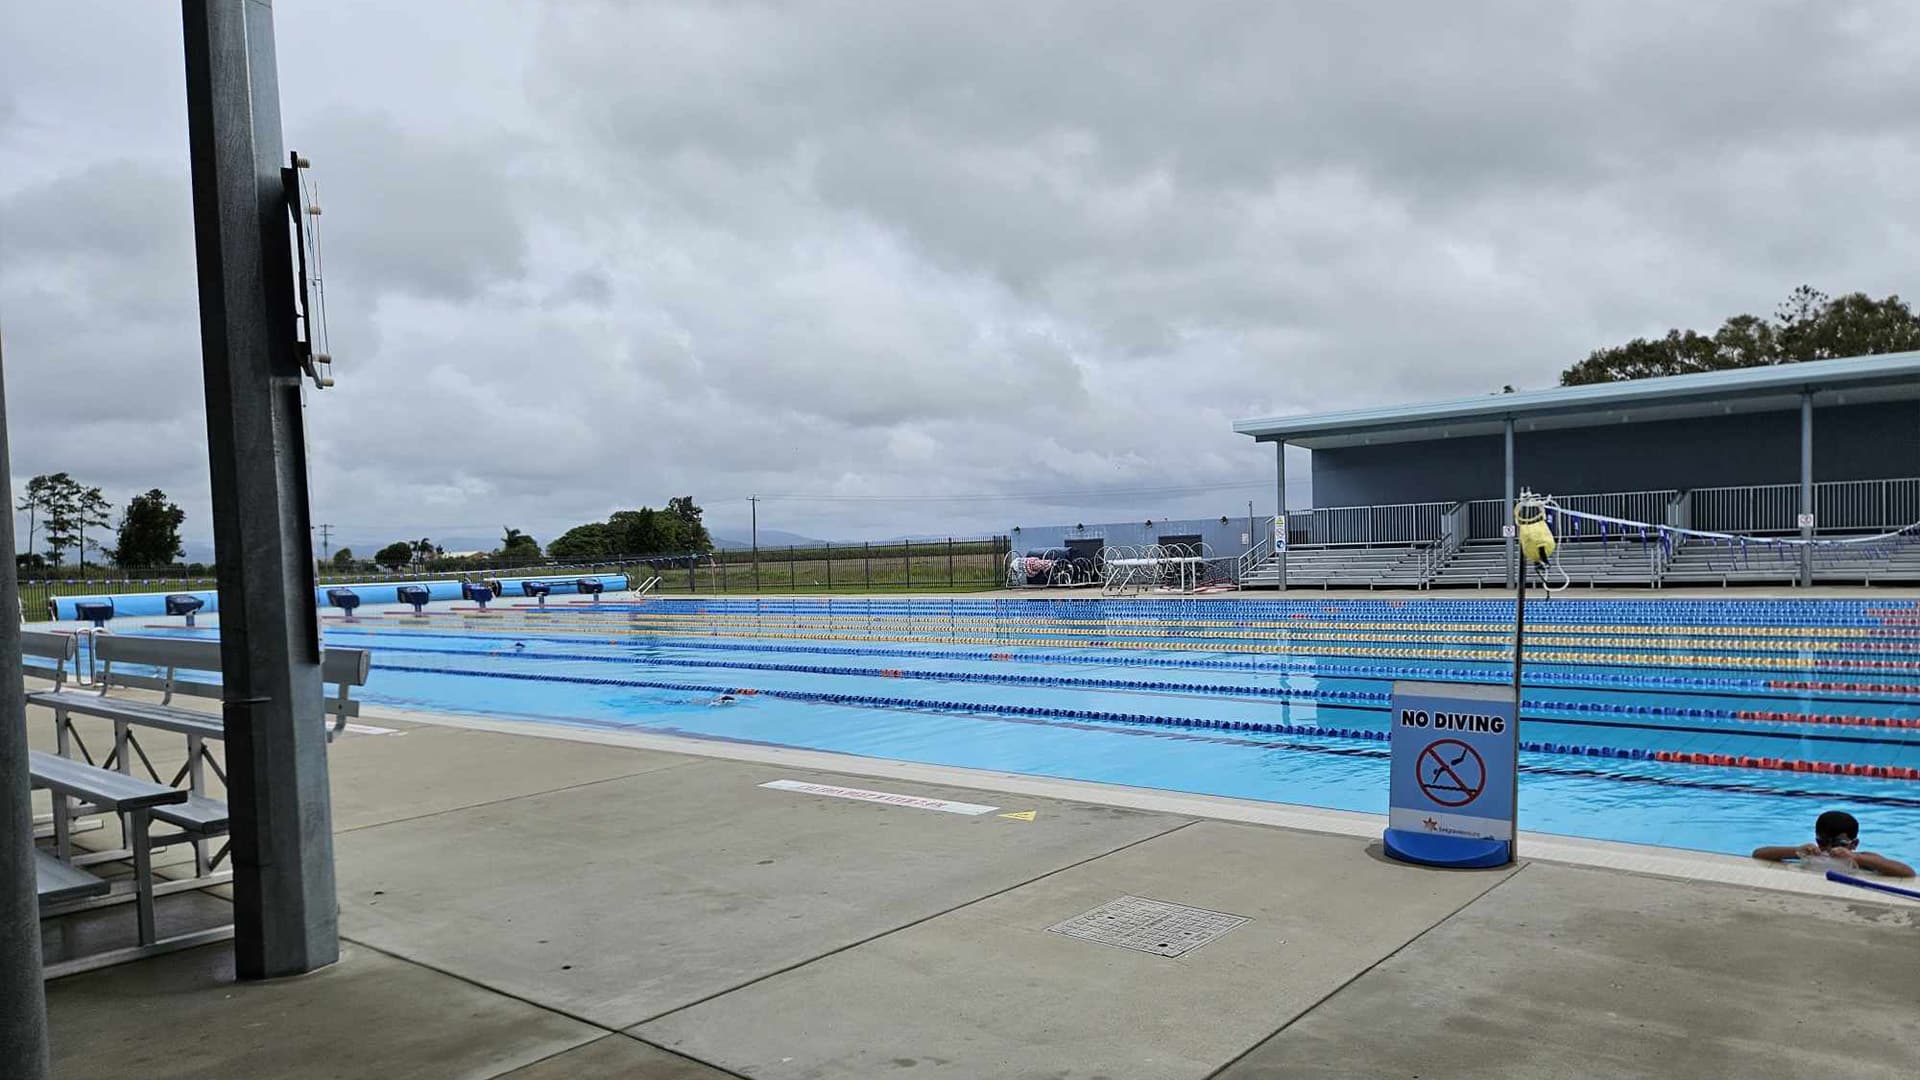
column 1456, row 756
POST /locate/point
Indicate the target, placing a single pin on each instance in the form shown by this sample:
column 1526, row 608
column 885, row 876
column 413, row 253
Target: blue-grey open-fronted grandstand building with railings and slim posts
column 1808, row 449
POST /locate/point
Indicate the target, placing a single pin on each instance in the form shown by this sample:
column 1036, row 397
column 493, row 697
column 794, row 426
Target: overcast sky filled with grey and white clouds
column 585, row 257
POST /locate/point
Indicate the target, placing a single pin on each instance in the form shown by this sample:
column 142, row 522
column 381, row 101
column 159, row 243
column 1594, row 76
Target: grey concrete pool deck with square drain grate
column 542, row 902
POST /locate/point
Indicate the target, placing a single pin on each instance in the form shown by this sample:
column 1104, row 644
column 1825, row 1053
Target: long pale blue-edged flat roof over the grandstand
column 1852, row 381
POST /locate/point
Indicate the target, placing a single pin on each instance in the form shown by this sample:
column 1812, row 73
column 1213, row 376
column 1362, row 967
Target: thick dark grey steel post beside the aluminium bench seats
column 283, row 856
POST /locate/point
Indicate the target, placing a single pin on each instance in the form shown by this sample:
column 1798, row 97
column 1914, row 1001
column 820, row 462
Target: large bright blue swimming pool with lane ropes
column 1694, row 724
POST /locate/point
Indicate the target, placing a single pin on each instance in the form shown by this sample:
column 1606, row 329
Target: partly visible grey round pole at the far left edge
column 22, row 994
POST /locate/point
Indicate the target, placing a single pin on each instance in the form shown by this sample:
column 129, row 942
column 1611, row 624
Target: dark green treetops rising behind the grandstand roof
column 1808, row 326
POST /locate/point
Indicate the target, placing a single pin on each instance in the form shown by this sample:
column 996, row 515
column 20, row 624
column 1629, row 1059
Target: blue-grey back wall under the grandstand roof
column 1850, row 443
